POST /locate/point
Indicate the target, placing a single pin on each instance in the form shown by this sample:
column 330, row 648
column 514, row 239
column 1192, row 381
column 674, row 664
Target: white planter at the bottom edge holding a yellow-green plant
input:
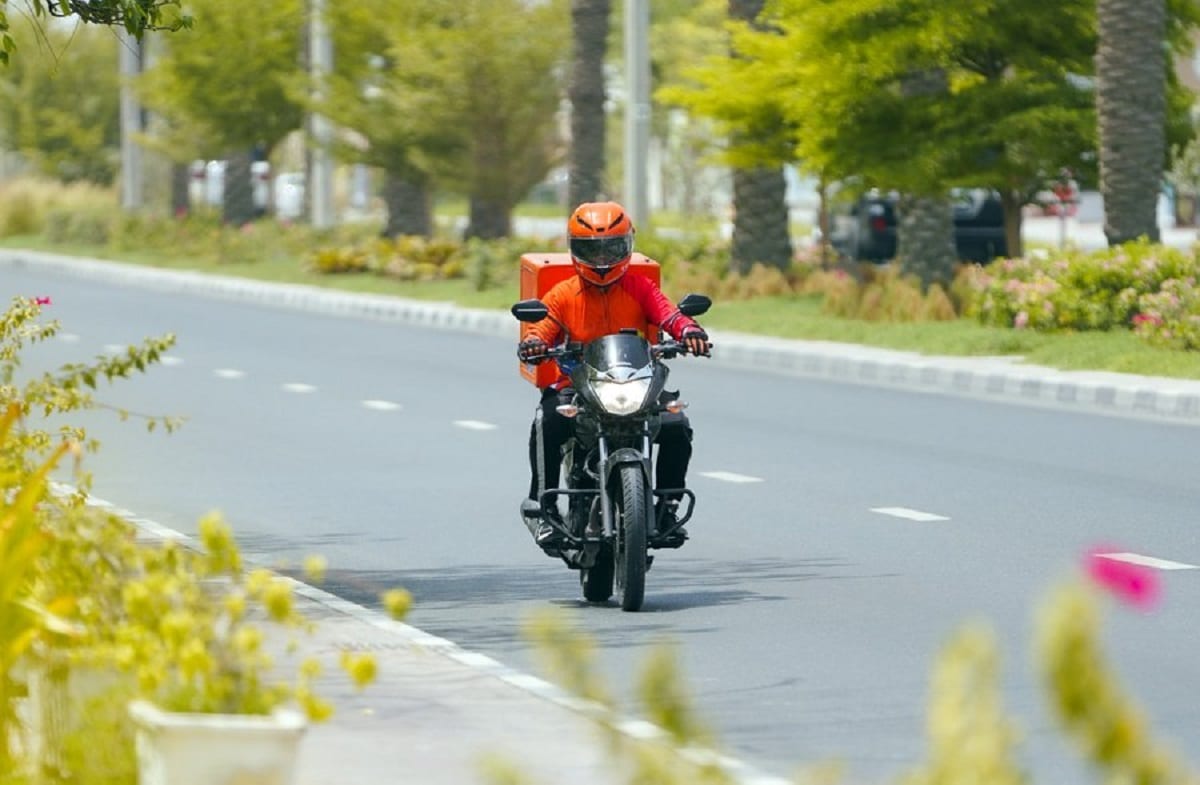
column 215, row 750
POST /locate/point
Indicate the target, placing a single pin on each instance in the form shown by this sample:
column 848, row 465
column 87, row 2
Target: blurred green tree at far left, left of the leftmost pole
column 59, row 110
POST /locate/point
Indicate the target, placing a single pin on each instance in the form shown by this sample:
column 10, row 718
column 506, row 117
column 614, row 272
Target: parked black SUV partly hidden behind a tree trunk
column 867, row 229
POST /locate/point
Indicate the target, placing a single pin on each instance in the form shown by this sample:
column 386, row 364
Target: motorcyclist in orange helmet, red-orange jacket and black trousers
column 602, row 299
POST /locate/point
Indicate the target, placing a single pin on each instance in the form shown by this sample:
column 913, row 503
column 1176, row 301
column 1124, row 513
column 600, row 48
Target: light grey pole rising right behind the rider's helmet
column 638, row 110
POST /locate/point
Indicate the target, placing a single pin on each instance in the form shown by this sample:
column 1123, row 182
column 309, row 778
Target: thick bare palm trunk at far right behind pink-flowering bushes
column 1131, row 105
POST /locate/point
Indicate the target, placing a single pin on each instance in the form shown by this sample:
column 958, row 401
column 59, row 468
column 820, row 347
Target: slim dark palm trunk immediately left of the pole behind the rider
column 586, row 92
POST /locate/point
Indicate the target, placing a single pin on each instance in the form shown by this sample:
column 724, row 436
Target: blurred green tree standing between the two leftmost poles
column 230, row 86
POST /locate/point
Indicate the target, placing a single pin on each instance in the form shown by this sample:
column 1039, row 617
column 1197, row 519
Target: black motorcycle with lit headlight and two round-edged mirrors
column 613, row 520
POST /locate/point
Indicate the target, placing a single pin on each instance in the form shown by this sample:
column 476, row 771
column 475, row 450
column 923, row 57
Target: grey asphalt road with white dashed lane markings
column 806, row 619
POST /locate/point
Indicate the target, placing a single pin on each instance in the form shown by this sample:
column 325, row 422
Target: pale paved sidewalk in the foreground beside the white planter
column 437, row 714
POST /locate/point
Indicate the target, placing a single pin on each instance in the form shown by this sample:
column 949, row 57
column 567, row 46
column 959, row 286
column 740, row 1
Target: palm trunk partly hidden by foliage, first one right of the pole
column 760, row 196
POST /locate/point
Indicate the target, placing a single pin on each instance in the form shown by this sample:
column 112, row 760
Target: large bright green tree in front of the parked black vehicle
column 921, row 97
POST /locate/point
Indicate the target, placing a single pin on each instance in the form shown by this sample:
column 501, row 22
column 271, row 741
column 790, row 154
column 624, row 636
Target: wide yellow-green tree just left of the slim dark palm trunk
column 475, row 95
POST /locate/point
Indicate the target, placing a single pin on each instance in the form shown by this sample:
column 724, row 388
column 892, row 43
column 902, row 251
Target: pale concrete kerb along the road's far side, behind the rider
column 1000, row 379
